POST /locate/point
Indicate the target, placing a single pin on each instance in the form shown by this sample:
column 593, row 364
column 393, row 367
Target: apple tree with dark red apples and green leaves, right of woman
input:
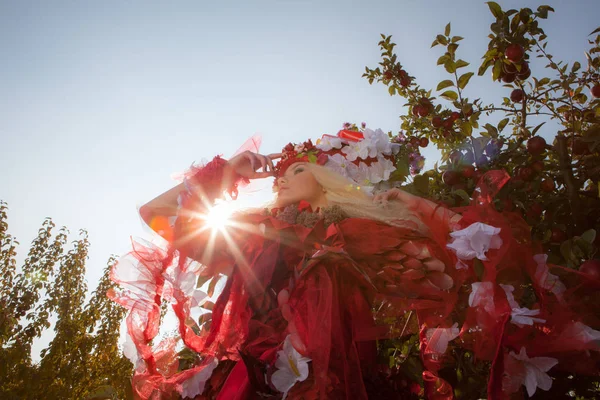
column 554, row 186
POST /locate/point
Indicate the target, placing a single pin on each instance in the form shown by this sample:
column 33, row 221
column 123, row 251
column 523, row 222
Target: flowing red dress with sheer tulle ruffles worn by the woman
column 333, row 286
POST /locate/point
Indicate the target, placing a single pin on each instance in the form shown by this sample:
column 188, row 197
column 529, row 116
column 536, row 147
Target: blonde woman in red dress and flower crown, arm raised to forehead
column 318, row 281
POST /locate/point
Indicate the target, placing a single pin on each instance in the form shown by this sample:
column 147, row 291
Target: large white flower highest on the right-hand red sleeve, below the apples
column 474, row 241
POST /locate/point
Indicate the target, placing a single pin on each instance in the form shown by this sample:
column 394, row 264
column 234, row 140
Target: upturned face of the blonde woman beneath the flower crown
column 297, row 184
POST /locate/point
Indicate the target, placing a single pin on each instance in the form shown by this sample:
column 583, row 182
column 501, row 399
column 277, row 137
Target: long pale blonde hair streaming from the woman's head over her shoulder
column 357, row 203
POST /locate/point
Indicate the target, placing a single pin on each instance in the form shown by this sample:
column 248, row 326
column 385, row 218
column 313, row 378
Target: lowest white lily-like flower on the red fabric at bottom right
column 531, row 372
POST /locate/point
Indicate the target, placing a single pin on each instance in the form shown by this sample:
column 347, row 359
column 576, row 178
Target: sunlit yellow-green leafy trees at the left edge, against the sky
column 83, row 360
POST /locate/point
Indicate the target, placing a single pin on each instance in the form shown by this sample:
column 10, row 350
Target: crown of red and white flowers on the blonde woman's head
column 367, row 157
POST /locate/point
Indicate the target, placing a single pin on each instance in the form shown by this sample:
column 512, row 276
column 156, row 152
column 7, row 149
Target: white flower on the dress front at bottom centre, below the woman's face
column 291, row 368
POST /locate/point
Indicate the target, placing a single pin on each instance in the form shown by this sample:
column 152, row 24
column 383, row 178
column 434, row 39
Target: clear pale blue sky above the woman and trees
column 101, row 102
